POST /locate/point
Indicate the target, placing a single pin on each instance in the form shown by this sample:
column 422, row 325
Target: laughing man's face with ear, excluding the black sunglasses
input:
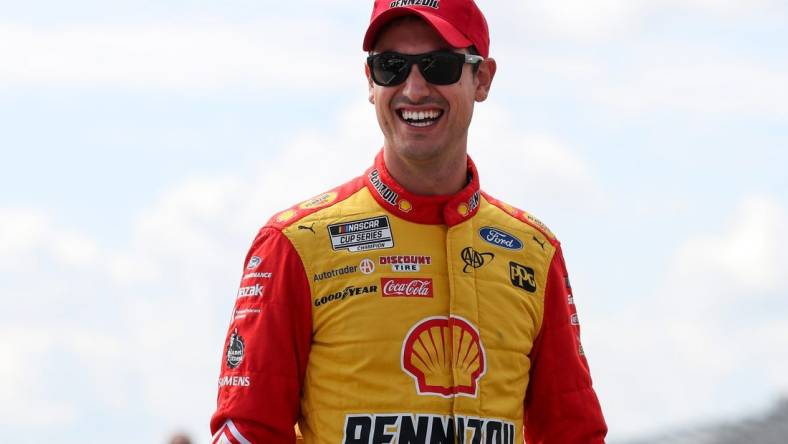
column 421, row 121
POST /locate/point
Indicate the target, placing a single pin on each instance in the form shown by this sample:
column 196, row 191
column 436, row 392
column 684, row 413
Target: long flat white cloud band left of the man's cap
column 177, row 57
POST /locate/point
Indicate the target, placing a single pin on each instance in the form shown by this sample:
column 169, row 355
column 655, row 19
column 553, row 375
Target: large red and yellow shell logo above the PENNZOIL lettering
column 444, row 356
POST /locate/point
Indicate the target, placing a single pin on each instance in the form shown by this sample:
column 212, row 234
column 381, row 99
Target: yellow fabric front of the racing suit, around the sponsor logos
column 357, row 365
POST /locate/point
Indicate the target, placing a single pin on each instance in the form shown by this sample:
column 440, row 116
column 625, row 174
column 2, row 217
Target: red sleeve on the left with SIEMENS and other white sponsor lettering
column 267, row 346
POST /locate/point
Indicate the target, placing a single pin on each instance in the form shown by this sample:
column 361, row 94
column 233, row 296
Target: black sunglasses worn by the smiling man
column 438, row 67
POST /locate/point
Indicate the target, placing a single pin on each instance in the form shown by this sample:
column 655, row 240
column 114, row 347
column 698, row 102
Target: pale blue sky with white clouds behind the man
column 144, row 143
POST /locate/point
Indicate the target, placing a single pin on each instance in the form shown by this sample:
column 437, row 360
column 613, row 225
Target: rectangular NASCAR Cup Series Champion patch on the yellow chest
column 362, row 235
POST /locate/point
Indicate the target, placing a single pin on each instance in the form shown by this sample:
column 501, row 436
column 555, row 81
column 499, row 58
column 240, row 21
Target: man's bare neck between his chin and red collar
column 428, row 177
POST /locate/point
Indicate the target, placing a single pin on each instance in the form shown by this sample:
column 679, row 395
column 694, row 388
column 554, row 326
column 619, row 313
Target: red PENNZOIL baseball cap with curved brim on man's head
column 459, row 22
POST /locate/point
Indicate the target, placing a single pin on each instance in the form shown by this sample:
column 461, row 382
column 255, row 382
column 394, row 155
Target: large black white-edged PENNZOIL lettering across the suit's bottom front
column 427, row 429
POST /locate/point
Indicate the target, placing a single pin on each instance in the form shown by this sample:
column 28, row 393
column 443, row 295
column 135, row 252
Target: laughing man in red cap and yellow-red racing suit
column 407, row 306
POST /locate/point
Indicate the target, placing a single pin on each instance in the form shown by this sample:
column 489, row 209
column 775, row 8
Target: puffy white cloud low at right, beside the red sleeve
column 718, row 308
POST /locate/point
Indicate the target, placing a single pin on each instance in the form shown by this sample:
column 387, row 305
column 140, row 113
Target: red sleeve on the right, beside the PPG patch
column 560, row 404
